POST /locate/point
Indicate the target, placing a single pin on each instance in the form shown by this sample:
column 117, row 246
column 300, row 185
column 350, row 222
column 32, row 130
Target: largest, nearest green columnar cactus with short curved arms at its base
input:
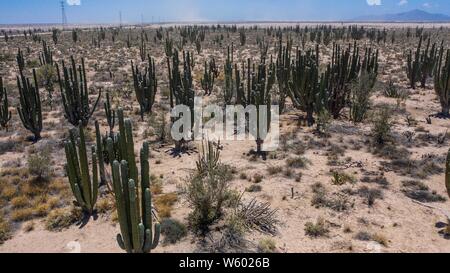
column 138, row 232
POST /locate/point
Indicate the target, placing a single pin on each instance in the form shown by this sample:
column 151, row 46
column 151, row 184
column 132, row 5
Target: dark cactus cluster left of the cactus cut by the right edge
column 422, row 66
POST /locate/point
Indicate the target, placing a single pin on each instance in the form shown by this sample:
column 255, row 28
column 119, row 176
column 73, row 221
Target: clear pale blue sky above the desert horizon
column 107, row 11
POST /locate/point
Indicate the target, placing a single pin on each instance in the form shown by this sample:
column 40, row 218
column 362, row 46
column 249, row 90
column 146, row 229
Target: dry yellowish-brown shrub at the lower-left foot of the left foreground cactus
column 60, row 219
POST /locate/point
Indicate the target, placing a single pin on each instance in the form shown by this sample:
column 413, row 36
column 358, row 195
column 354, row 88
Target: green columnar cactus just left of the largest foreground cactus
column 84, row 187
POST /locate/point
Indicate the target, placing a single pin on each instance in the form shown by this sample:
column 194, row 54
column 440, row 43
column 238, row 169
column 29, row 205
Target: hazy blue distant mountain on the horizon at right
column 410, row 16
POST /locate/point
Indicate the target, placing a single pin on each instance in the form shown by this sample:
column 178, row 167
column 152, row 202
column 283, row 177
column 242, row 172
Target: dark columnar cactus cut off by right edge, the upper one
column 442, row 81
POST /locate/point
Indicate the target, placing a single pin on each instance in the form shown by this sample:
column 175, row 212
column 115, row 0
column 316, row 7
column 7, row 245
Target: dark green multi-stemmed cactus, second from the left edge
column 30, row 110
